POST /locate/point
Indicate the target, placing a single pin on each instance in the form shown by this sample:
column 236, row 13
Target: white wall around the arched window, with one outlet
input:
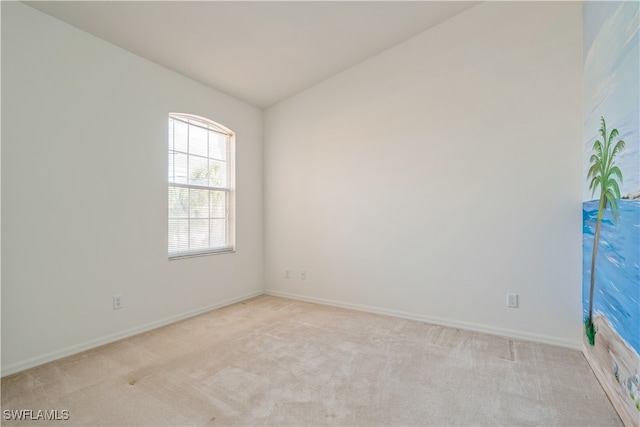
column 84, row 131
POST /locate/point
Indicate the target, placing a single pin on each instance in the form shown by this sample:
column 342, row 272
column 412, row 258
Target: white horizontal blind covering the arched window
column 200, row 185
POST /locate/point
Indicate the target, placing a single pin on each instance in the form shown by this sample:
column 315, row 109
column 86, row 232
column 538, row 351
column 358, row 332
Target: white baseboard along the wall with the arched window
column 13, row 368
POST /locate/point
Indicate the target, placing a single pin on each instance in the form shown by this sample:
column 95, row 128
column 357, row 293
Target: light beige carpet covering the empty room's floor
column 274, row 361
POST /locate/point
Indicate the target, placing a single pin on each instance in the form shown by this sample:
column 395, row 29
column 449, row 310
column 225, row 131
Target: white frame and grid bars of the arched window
column 176, row 247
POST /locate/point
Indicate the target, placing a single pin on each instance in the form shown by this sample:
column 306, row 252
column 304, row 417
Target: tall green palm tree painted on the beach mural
column 606, row 176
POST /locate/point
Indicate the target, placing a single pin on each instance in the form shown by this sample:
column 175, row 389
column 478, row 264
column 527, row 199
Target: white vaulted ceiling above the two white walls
column 260, row 52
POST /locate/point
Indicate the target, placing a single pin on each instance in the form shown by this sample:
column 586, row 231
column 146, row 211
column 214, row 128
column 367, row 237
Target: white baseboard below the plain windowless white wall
column 503, row 332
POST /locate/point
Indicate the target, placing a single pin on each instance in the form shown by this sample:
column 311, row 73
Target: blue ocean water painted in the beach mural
column 617, row 288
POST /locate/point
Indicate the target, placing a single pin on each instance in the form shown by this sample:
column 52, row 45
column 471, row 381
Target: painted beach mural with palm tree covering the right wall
column 611, row 201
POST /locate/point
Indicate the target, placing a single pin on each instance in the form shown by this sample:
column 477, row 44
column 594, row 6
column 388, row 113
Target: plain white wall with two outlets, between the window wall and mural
column 434, row 178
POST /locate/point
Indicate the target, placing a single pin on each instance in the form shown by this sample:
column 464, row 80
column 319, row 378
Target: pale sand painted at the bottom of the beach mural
column 611, row 351
